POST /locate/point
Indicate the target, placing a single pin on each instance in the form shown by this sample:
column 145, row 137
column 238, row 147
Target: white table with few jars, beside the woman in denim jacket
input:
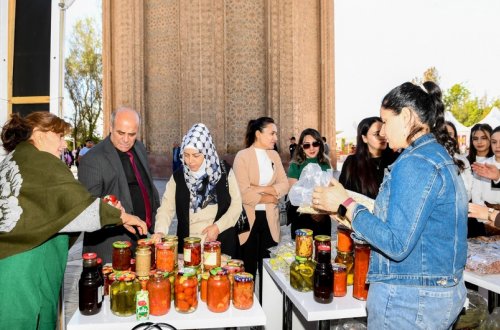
column 277, row 290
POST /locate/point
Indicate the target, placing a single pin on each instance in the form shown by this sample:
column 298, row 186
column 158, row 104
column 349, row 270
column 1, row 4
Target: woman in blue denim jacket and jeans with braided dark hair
column 419, row 227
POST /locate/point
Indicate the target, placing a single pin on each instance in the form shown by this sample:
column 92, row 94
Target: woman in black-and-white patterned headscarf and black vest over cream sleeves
column 203, row 193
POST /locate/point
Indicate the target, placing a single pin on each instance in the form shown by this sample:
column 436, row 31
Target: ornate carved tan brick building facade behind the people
column 220, row 62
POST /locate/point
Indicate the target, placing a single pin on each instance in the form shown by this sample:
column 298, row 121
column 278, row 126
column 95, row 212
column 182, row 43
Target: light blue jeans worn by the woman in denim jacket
column 414, row 307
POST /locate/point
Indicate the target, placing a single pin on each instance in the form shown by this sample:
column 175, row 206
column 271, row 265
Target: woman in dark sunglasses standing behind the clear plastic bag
column 310, row 150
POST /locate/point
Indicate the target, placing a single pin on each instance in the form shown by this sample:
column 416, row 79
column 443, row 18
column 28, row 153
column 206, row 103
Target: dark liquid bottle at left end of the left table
column 90, row 286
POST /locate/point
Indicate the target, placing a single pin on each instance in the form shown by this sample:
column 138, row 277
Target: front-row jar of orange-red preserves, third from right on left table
column 186, row 291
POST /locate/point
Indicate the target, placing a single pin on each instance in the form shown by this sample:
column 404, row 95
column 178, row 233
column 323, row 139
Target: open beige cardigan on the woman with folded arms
column 246, row 169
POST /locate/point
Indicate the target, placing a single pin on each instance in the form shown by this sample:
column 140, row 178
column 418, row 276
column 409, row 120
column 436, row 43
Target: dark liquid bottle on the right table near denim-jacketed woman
column 323, row 276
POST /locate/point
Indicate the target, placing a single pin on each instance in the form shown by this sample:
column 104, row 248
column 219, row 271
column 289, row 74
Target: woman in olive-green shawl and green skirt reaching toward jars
column 41, row 203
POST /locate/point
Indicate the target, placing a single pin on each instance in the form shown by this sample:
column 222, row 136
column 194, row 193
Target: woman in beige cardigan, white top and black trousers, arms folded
column 262, row 181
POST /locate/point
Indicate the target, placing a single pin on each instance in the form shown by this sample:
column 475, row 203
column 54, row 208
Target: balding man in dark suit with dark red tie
column 118, row 166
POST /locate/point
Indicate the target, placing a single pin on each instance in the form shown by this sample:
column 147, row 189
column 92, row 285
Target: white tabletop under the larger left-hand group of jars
column 202, row 318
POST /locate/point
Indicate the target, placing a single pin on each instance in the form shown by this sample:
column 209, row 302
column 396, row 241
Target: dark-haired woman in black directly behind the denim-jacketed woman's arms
column 363, row 171
